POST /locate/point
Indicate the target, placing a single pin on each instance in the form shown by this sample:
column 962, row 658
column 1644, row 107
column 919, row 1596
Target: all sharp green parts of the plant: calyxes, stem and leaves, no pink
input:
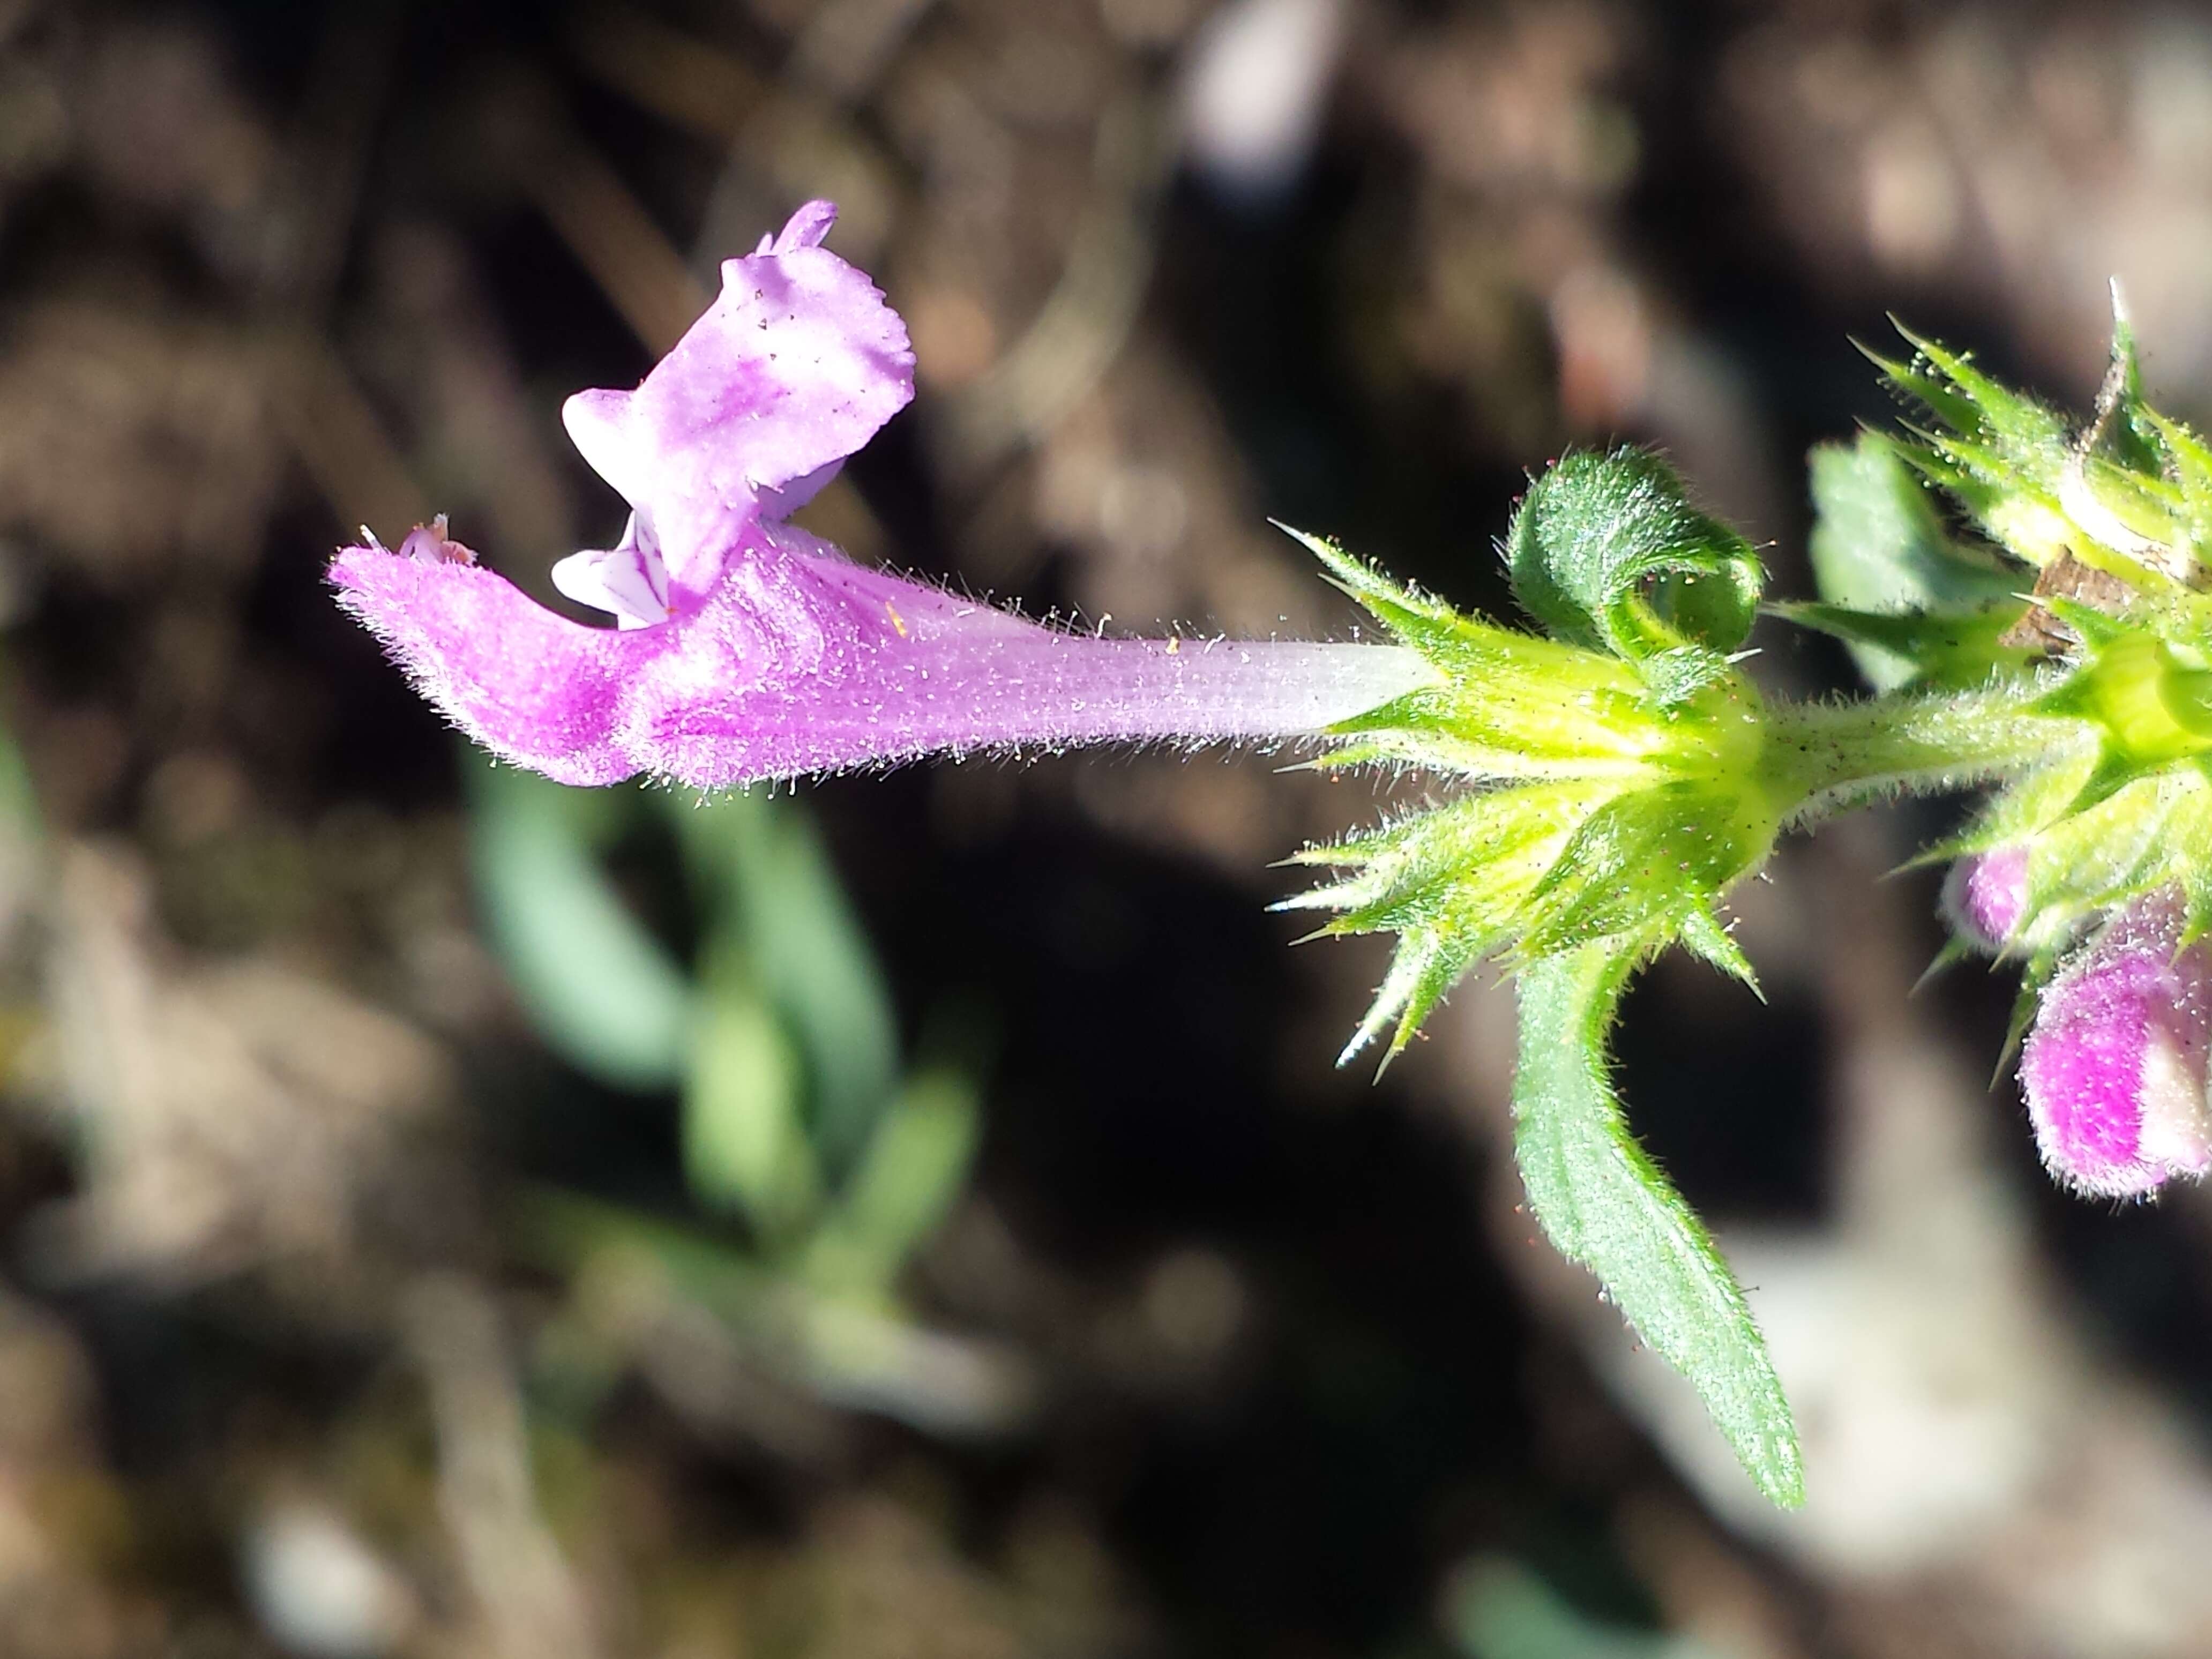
column 2032, row 607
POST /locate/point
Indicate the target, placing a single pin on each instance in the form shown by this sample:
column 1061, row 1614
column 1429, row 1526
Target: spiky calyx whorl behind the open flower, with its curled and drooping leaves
column 1616, row 782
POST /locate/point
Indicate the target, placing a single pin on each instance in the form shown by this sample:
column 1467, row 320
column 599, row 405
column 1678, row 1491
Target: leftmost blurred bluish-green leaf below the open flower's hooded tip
column 601, row 990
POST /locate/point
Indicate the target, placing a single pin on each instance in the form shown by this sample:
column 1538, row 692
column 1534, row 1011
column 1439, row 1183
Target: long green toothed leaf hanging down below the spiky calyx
column 1605, row 1204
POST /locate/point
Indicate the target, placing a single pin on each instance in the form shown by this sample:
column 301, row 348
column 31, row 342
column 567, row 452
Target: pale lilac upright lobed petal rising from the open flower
column 791, row 371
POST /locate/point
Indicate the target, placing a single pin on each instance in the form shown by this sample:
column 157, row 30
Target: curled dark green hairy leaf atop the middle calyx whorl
column 1607, row 552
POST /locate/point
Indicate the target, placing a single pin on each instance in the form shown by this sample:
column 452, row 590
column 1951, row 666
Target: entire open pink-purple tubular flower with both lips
column 749, row 649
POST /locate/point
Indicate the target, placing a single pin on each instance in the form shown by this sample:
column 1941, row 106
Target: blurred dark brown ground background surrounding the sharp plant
column 919, row 1215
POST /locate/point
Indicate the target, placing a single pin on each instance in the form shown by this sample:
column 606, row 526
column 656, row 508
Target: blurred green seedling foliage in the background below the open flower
column 817, row 1162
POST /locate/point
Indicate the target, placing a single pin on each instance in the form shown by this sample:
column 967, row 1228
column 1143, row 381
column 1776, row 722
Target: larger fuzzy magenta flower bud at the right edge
column 2116, row 1063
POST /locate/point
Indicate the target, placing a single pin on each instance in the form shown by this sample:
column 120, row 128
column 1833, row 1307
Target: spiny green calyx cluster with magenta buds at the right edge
column 2094, row 868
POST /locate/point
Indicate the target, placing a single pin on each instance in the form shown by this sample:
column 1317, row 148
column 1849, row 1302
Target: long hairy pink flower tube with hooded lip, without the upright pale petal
column 806, row 662
